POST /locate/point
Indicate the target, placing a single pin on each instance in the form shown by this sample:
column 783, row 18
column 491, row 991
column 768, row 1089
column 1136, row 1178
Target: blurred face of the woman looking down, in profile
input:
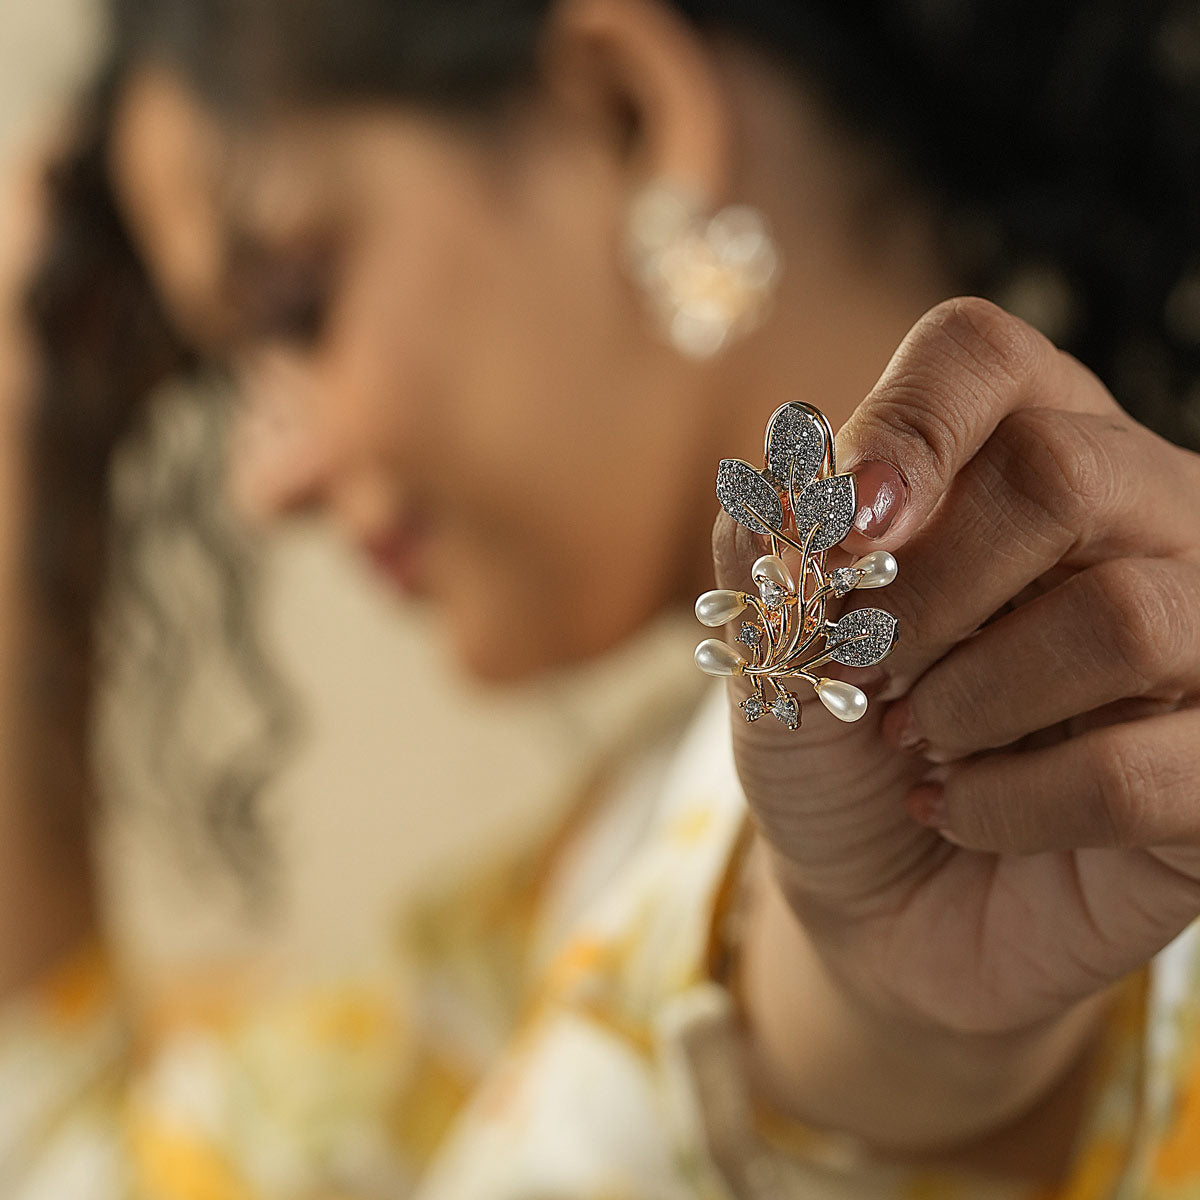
column 436, row 346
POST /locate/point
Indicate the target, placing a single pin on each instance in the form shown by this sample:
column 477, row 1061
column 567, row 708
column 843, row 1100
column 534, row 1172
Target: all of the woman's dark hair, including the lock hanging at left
column 1060, row 143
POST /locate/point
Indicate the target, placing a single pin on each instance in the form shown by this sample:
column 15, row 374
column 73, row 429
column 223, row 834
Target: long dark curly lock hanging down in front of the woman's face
column 106, row 349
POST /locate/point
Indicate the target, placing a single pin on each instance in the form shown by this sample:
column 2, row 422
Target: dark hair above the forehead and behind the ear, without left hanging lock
column 1058, row 140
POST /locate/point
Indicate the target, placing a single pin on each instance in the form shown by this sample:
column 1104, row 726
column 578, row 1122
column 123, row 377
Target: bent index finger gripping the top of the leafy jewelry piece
column 963, row 369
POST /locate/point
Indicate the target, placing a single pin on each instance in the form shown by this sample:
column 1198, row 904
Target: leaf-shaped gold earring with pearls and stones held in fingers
column 788, row 635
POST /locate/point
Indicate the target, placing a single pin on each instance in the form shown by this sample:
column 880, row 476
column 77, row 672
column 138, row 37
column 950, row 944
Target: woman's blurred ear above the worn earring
column 651, row 82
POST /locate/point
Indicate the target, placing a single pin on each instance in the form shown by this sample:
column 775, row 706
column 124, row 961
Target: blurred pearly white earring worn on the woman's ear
column 710, row 280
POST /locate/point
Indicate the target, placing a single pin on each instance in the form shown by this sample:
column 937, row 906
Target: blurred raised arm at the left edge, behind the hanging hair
column 46, row 891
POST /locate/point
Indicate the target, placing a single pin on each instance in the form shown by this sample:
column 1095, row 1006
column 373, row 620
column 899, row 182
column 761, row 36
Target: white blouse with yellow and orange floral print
column 553, row 1031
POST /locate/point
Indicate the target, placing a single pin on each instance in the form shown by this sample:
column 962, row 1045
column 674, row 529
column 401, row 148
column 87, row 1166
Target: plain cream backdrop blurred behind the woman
column 406, row 777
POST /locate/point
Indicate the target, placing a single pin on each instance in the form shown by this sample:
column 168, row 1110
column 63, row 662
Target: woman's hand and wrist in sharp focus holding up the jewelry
column 952, row 887
